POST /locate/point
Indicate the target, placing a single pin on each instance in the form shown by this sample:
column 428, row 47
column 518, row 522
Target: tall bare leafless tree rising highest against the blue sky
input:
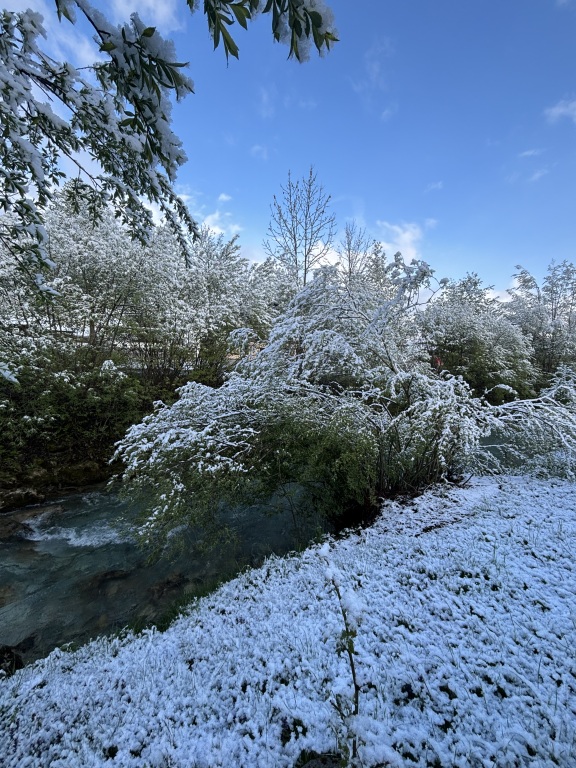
column 301, row 230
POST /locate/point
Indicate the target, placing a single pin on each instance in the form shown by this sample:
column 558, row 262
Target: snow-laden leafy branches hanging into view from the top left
column 116, row 112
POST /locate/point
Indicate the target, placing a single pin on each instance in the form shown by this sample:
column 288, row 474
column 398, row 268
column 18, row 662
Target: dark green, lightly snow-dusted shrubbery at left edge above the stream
column 54, row 415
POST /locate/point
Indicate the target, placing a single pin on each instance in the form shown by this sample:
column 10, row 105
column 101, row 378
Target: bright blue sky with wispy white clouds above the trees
column 447, row 129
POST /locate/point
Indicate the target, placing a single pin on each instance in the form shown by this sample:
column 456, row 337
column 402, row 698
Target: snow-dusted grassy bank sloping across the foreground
column 466, row 653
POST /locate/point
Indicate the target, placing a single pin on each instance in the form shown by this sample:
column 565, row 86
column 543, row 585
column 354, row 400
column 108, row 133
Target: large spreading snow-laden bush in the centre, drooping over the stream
column 335, row 412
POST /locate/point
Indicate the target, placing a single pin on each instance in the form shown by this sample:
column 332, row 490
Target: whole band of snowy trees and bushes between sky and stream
column 329, row 365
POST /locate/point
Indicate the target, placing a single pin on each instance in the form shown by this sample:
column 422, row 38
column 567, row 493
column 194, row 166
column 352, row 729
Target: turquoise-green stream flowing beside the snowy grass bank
column 77, row 572
